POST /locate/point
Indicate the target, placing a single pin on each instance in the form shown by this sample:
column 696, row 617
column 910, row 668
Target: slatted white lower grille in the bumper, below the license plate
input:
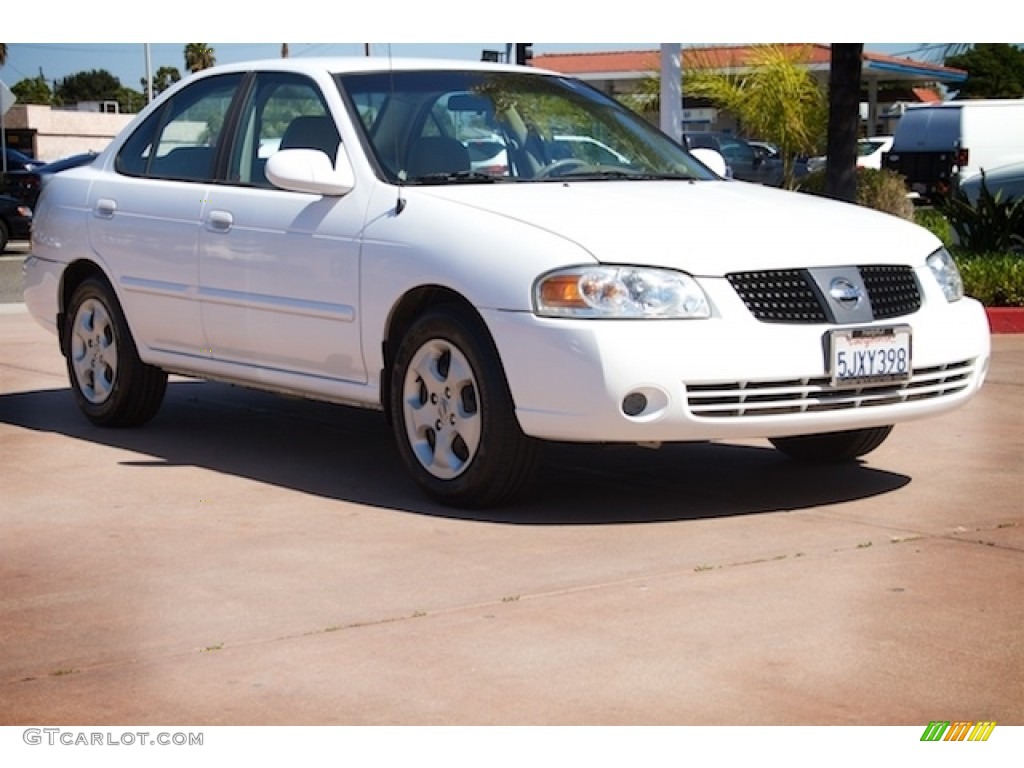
column 754, row 399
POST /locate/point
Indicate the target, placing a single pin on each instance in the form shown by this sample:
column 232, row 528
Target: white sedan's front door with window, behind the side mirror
column 279, row 271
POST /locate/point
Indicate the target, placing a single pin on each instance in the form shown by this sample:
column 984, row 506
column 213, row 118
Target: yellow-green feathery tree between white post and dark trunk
column 776, row 100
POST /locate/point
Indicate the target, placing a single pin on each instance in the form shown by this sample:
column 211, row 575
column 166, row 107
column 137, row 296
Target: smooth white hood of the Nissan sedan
column 705, row 228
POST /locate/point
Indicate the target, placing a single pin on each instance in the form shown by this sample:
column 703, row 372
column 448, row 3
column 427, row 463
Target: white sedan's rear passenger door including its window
column 146, row 215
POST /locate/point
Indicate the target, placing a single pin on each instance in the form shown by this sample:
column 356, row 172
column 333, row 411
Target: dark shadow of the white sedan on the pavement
column 349, row 455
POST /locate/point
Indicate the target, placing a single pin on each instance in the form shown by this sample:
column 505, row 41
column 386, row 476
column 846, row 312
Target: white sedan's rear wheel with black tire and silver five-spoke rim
column 113, row 388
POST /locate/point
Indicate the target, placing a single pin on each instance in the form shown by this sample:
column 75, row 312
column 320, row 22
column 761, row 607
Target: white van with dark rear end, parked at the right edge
column 937, row 146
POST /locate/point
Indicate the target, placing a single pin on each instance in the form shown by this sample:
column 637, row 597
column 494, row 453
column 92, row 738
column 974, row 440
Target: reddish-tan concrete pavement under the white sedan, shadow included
column 247, row 560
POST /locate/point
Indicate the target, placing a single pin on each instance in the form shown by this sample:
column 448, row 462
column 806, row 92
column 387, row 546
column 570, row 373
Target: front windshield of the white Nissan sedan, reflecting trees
column 448, row 126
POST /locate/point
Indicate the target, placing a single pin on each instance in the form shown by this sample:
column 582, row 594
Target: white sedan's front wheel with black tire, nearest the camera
column 452, row 414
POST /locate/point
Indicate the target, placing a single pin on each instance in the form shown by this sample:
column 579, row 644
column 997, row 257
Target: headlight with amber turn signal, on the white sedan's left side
column 619, row 292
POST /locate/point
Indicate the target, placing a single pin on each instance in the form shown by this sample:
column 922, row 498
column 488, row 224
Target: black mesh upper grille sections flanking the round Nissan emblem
column 790, row 296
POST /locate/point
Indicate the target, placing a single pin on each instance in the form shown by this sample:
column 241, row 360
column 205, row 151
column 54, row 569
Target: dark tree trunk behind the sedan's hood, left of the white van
column 844, row 121
